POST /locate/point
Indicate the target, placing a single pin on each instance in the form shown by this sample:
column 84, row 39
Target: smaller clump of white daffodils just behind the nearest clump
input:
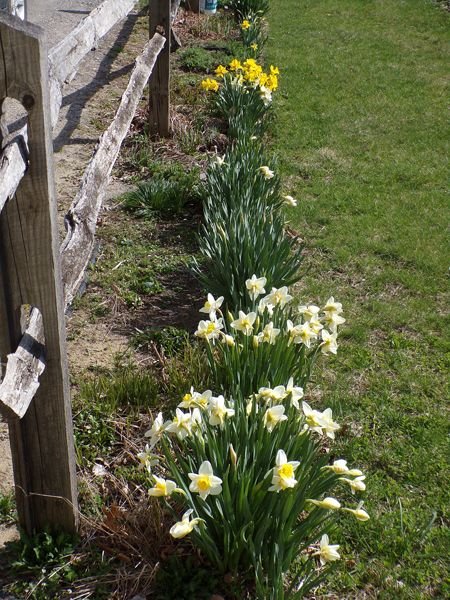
column 269, row 342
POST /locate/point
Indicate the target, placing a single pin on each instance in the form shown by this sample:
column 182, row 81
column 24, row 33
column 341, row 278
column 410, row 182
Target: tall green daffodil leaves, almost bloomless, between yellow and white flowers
column 243, row 233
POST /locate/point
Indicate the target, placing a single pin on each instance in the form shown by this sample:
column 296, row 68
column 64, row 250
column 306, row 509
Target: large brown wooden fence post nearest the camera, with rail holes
column 42, row 441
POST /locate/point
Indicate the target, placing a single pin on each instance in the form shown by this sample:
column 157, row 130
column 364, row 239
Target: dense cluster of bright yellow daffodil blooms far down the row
column 245, row 76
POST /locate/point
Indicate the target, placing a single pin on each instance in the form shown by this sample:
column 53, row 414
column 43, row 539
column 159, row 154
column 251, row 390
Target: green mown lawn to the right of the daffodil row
column 365, row 85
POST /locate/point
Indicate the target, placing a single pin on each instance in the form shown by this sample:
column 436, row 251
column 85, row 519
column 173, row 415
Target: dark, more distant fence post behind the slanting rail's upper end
column 160, row 22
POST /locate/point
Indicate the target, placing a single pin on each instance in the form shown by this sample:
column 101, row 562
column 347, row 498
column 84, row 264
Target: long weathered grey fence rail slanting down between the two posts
column 81, row 219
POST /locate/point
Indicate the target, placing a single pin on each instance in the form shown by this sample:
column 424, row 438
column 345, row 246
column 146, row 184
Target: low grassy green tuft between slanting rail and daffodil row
column 166, row 192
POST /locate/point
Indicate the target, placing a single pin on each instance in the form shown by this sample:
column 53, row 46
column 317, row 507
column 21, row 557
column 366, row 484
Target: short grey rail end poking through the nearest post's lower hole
column 23, row 369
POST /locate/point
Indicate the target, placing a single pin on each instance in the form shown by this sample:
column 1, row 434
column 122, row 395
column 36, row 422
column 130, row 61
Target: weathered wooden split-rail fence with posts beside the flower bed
column 38, row 280
